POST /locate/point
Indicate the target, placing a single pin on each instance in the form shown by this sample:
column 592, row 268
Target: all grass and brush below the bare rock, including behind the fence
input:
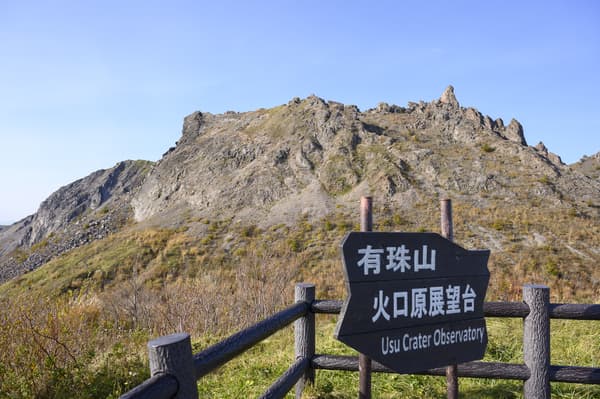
column 93, row 309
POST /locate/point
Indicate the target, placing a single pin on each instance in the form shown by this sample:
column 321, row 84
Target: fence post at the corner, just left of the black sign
column 304, row 335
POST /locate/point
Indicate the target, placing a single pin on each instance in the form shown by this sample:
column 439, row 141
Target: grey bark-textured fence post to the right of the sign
column 536, row 341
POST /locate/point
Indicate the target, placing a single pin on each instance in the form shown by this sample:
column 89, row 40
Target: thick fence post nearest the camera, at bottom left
column 172, row 355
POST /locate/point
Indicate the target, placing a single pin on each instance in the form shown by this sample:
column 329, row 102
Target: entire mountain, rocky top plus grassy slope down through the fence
column 247, row 204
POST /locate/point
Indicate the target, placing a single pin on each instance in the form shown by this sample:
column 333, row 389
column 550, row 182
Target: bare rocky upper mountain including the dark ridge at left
column 307, row 159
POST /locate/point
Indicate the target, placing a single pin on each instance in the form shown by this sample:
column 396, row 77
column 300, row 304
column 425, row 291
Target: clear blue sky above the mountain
column 85, row 84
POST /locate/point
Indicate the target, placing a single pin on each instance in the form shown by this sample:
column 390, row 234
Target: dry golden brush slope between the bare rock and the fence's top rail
column 106, row 299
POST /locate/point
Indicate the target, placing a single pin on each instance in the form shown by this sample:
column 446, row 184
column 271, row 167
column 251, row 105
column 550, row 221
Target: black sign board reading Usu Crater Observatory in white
column 415, row 300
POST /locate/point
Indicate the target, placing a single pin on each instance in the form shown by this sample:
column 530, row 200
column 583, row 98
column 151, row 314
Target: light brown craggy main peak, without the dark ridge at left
column 310, row 155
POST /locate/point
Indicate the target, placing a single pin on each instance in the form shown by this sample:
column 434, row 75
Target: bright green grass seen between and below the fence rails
column 573, row 343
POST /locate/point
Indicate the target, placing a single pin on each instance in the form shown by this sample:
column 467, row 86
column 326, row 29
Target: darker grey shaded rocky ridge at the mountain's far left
column 81, row 212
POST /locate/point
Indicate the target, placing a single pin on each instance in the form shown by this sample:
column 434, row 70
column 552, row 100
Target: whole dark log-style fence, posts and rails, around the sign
column 174, row 370
